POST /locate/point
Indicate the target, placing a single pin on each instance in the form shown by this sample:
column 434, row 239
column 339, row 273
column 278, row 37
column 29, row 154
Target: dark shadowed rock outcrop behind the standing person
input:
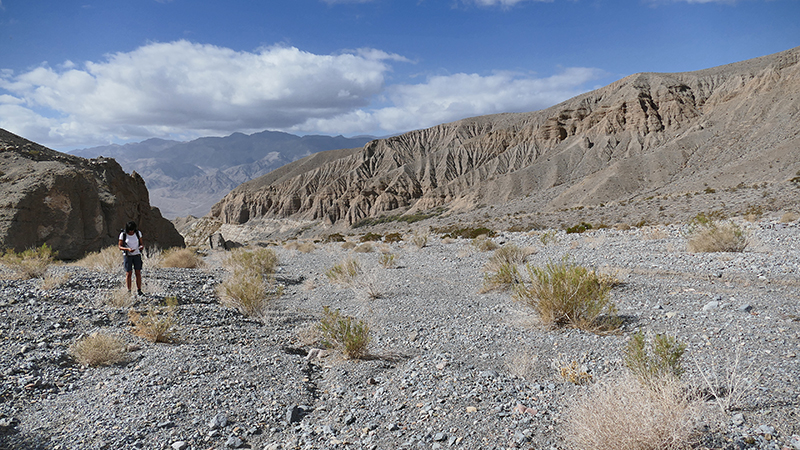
column 72, row 204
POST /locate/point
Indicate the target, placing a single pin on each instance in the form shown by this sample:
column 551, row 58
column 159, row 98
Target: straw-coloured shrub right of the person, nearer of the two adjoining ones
column 248, row 292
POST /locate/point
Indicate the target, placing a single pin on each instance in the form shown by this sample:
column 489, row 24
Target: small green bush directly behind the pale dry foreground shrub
column 656, row 360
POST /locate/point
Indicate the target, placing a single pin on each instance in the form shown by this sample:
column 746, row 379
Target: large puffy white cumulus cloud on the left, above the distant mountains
column 185, row 88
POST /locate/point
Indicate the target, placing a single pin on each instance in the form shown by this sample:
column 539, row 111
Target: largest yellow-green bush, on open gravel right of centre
column 566, row 294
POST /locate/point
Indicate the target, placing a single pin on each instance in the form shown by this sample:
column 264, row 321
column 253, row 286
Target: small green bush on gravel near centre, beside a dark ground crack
column 344, row 333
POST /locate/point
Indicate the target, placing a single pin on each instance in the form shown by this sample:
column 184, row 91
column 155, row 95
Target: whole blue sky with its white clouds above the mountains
column 83, row 73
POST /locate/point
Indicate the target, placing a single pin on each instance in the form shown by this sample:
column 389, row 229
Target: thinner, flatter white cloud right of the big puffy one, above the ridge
column 447, row 98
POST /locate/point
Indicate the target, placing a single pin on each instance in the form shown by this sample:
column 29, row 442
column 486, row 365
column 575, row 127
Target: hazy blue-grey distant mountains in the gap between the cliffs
column 187, row 178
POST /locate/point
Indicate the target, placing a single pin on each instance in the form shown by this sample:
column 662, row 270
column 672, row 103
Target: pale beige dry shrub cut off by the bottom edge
column 623, row 413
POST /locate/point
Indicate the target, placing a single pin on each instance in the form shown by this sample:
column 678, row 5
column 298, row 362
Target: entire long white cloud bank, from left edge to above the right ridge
column 182, row 90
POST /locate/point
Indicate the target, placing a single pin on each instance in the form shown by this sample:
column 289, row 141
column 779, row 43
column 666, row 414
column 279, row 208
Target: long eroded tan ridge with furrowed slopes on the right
column 643, row 135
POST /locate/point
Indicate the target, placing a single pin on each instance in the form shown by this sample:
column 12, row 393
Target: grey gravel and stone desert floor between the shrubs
column 448, row 366
